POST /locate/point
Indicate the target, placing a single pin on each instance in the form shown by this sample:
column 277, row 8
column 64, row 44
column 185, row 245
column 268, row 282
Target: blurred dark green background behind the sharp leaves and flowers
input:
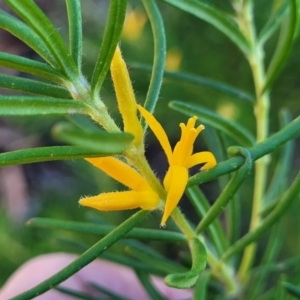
column 53, row 189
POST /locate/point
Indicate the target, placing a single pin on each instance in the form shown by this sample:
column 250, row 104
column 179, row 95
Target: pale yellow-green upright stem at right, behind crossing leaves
column 256, row 59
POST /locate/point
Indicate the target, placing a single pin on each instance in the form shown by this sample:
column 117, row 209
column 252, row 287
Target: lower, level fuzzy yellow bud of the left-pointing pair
column 121, row 201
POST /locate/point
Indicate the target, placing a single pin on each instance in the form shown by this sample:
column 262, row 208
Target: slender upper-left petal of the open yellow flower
column 158, row 131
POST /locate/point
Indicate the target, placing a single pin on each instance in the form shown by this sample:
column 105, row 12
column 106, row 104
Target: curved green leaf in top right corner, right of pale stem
column 284, row 45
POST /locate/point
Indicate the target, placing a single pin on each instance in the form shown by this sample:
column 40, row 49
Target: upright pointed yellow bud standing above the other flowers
column 125, row 97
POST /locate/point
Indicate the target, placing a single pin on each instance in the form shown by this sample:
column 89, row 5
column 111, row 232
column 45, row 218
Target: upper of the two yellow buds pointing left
column 121, row 172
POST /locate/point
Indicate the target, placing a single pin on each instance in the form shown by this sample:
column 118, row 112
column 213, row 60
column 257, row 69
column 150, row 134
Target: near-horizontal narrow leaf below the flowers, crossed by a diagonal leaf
column 135, row 233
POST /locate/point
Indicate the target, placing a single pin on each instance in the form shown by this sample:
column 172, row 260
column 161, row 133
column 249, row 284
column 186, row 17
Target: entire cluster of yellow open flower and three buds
column 139, row 179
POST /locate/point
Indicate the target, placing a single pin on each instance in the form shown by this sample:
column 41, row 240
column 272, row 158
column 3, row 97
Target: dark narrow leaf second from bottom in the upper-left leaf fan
column 33, row 86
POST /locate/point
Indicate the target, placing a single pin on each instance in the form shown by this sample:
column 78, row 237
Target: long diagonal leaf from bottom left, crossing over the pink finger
column 84, row 259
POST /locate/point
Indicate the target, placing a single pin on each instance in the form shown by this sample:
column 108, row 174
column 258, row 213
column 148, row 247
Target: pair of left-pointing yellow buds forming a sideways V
column 141, row 194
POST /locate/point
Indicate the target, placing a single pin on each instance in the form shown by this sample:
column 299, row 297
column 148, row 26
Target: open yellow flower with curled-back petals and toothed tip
column 180, row 159
